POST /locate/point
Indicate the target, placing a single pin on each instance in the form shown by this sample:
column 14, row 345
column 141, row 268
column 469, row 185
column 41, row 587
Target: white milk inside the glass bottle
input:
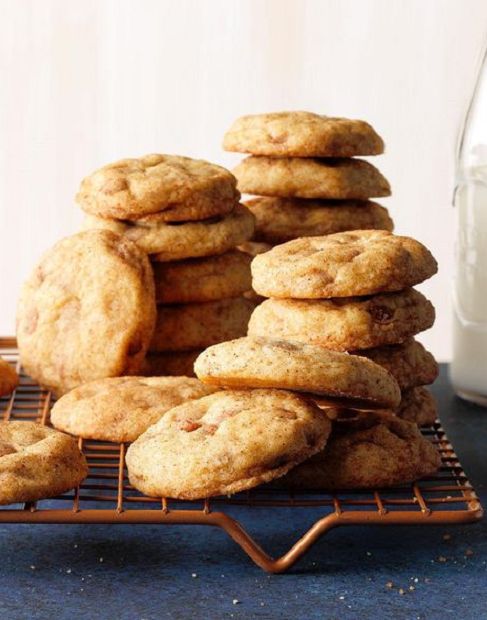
column 469, row 365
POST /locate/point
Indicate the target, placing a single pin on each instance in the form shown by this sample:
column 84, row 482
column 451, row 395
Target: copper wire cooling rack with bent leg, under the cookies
column 107, row 497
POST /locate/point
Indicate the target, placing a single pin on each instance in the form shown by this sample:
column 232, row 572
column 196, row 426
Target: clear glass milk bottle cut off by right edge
column 469, row 363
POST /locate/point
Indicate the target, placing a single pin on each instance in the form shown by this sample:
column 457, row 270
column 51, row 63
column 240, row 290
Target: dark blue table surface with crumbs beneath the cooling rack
column 149, row 572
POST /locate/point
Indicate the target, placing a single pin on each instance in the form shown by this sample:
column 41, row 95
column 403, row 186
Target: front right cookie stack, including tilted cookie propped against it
column 332, row 296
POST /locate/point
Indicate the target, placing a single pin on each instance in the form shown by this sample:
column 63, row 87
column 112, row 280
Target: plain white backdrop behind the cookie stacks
column 84, row 83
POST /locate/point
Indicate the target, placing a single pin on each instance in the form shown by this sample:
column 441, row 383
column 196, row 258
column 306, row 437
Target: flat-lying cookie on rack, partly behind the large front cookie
column 119, row 409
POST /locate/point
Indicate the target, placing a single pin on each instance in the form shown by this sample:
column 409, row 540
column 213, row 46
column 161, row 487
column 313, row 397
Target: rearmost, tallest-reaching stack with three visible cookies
column 303, row 168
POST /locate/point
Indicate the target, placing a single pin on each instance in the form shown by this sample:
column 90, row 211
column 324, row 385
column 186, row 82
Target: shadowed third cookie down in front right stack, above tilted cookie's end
column 409, row 363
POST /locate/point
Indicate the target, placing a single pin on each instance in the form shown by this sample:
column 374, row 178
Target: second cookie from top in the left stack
column 167, row 241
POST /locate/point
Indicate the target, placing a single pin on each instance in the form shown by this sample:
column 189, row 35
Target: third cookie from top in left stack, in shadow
column 203, row 279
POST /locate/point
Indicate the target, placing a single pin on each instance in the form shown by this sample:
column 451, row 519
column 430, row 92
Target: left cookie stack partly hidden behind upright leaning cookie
column 185, row 214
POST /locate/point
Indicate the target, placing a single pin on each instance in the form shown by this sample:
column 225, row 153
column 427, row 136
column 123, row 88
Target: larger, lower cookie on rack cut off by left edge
column 37, row 462
